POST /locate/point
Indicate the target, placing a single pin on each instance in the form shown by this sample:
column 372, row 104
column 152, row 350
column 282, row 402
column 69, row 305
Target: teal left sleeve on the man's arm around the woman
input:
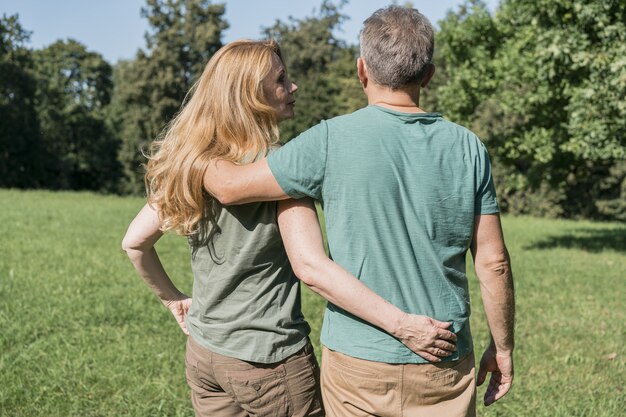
column 300, row 165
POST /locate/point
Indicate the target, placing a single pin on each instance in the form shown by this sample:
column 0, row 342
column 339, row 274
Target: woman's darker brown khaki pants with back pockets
column 226, row 387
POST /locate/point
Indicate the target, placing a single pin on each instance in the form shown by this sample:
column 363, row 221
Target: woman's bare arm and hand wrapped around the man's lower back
column 301, row 234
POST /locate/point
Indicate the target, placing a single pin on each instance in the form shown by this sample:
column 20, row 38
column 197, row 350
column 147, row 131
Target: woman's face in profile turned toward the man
column 279, row 89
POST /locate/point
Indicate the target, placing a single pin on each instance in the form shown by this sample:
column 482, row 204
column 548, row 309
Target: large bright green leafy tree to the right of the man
column 543, row 83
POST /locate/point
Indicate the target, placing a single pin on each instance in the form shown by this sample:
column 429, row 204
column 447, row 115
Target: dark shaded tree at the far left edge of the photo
column 21, row 153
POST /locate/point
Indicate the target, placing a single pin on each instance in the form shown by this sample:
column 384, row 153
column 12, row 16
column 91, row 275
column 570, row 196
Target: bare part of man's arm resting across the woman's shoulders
column 238, row 184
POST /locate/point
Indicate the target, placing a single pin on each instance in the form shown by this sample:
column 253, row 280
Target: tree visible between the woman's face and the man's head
column 323, row 67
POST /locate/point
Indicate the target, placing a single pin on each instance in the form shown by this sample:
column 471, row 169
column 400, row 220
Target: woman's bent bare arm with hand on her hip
column 139, row 241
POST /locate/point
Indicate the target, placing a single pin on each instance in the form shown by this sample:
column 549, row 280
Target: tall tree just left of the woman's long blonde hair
column 149, row 90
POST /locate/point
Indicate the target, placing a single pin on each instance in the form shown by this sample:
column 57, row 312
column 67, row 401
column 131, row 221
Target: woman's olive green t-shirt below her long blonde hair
column 246, row 299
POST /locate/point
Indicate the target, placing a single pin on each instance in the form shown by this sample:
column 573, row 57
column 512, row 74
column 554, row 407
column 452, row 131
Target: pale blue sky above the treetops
column 115, row 28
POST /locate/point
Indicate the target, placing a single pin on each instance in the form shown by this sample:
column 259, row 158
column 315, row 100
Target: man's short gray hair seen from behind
column 397, row 44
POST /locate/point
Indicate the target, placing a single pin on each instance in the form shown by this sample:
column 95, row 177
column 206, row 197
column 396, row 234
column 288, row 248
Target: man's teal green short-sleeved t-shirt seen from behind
column 400, row 192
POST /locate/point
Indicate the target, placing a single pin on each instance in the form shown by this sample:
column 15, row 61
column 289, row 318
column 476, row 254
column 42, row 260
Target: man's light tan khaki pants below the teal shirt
column 356, row 387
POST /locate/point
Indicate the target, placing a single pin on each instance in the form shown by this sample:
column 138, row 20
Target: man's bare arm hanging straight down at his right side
column 493, row 268
